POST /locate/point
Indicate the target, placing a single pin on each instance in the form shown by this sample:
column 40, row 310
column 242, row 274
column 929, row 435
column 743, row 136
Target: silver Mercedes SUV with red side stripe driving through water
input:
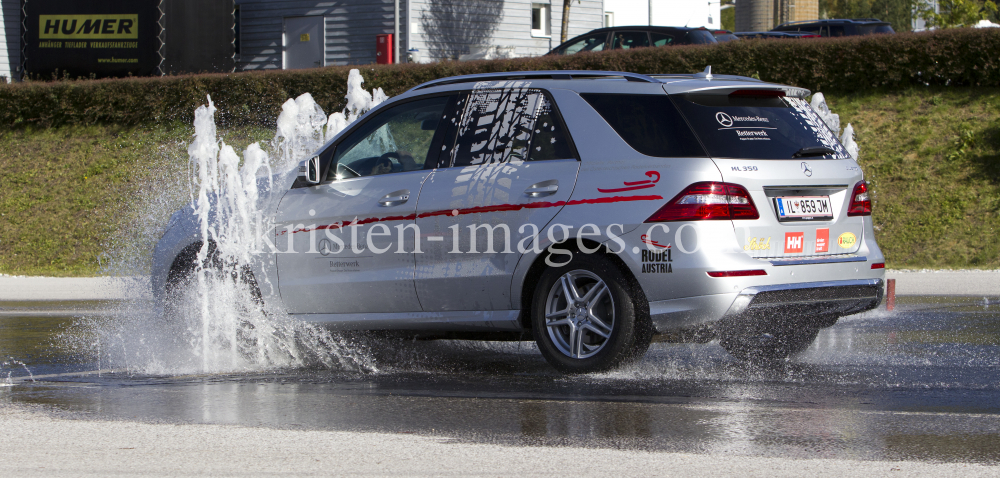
column 591, row 211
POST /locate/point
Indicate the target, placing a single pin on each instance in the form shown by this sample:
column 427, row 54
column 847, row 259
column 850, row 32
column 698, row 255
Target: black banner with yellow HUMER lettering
column 82, row 38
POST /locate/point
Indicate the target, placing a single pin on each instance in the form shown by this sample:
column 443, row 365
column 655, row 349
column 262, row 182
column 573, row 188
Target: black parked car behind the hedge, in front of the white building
column 624, row 38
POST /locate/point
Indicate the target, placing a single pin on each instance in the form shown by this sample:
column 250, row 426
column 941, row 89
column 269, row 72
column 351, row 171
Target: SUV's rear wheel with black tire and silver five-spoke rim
column 570, row 338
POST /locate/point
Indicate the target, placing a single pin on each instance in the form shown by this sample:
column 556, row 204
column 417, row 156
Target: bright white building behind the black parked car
column 667, row 13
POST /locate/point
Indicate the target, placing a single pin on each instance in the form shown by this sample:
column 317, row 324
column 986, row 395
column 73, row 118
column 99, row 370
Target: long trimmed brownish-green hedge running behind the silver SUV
column 957, row 57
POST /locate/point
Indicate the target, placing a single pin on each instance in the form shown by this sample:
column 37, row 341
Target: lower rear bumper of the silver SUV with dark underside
column 816, row 304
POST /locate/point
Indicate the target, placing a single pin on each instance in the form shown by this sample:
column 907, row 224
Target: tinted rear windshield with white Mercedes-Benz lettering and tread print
column 755, row 127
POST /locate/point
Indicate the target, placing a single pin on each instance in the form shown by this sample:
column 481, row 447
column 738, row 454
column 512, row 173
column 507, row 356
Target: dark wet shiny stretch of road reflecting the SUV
column 922, row 383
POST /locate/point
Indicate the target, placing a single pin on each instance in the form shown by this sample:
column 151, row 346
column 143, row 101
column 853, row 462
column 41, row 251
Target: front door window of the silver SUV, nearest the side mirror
column 397, row 140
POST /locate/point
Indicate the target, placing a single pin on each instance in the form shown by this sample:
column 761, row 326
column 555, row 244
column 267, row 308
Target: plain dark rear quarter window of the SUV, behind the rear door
column 650, row 124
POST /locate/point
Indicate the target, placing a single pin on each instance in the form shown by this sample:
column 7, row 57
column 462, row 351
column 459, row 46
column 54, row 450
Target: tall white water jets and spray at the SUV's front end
column 215, row 320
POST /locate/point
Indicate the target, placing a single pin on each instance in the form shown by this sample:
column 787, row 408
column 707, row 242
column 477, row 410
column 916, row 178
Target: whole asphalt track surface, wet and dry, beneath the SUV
column 914, row 392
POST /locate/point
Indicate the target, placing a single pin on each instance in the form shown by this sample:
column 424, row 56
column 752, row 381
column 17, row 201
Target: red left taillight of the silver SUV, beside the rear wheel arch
column 708, row 201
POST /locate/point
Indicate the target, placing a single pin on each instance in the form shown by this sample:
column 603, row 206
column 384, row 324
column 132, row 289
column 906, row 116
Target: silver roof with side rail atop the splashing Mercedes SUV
column 606, row 81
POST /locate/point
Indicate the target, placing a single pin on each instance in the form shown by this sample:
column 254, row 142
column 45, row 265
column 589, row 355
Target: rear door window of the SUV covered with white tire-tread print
column 498, row 125
